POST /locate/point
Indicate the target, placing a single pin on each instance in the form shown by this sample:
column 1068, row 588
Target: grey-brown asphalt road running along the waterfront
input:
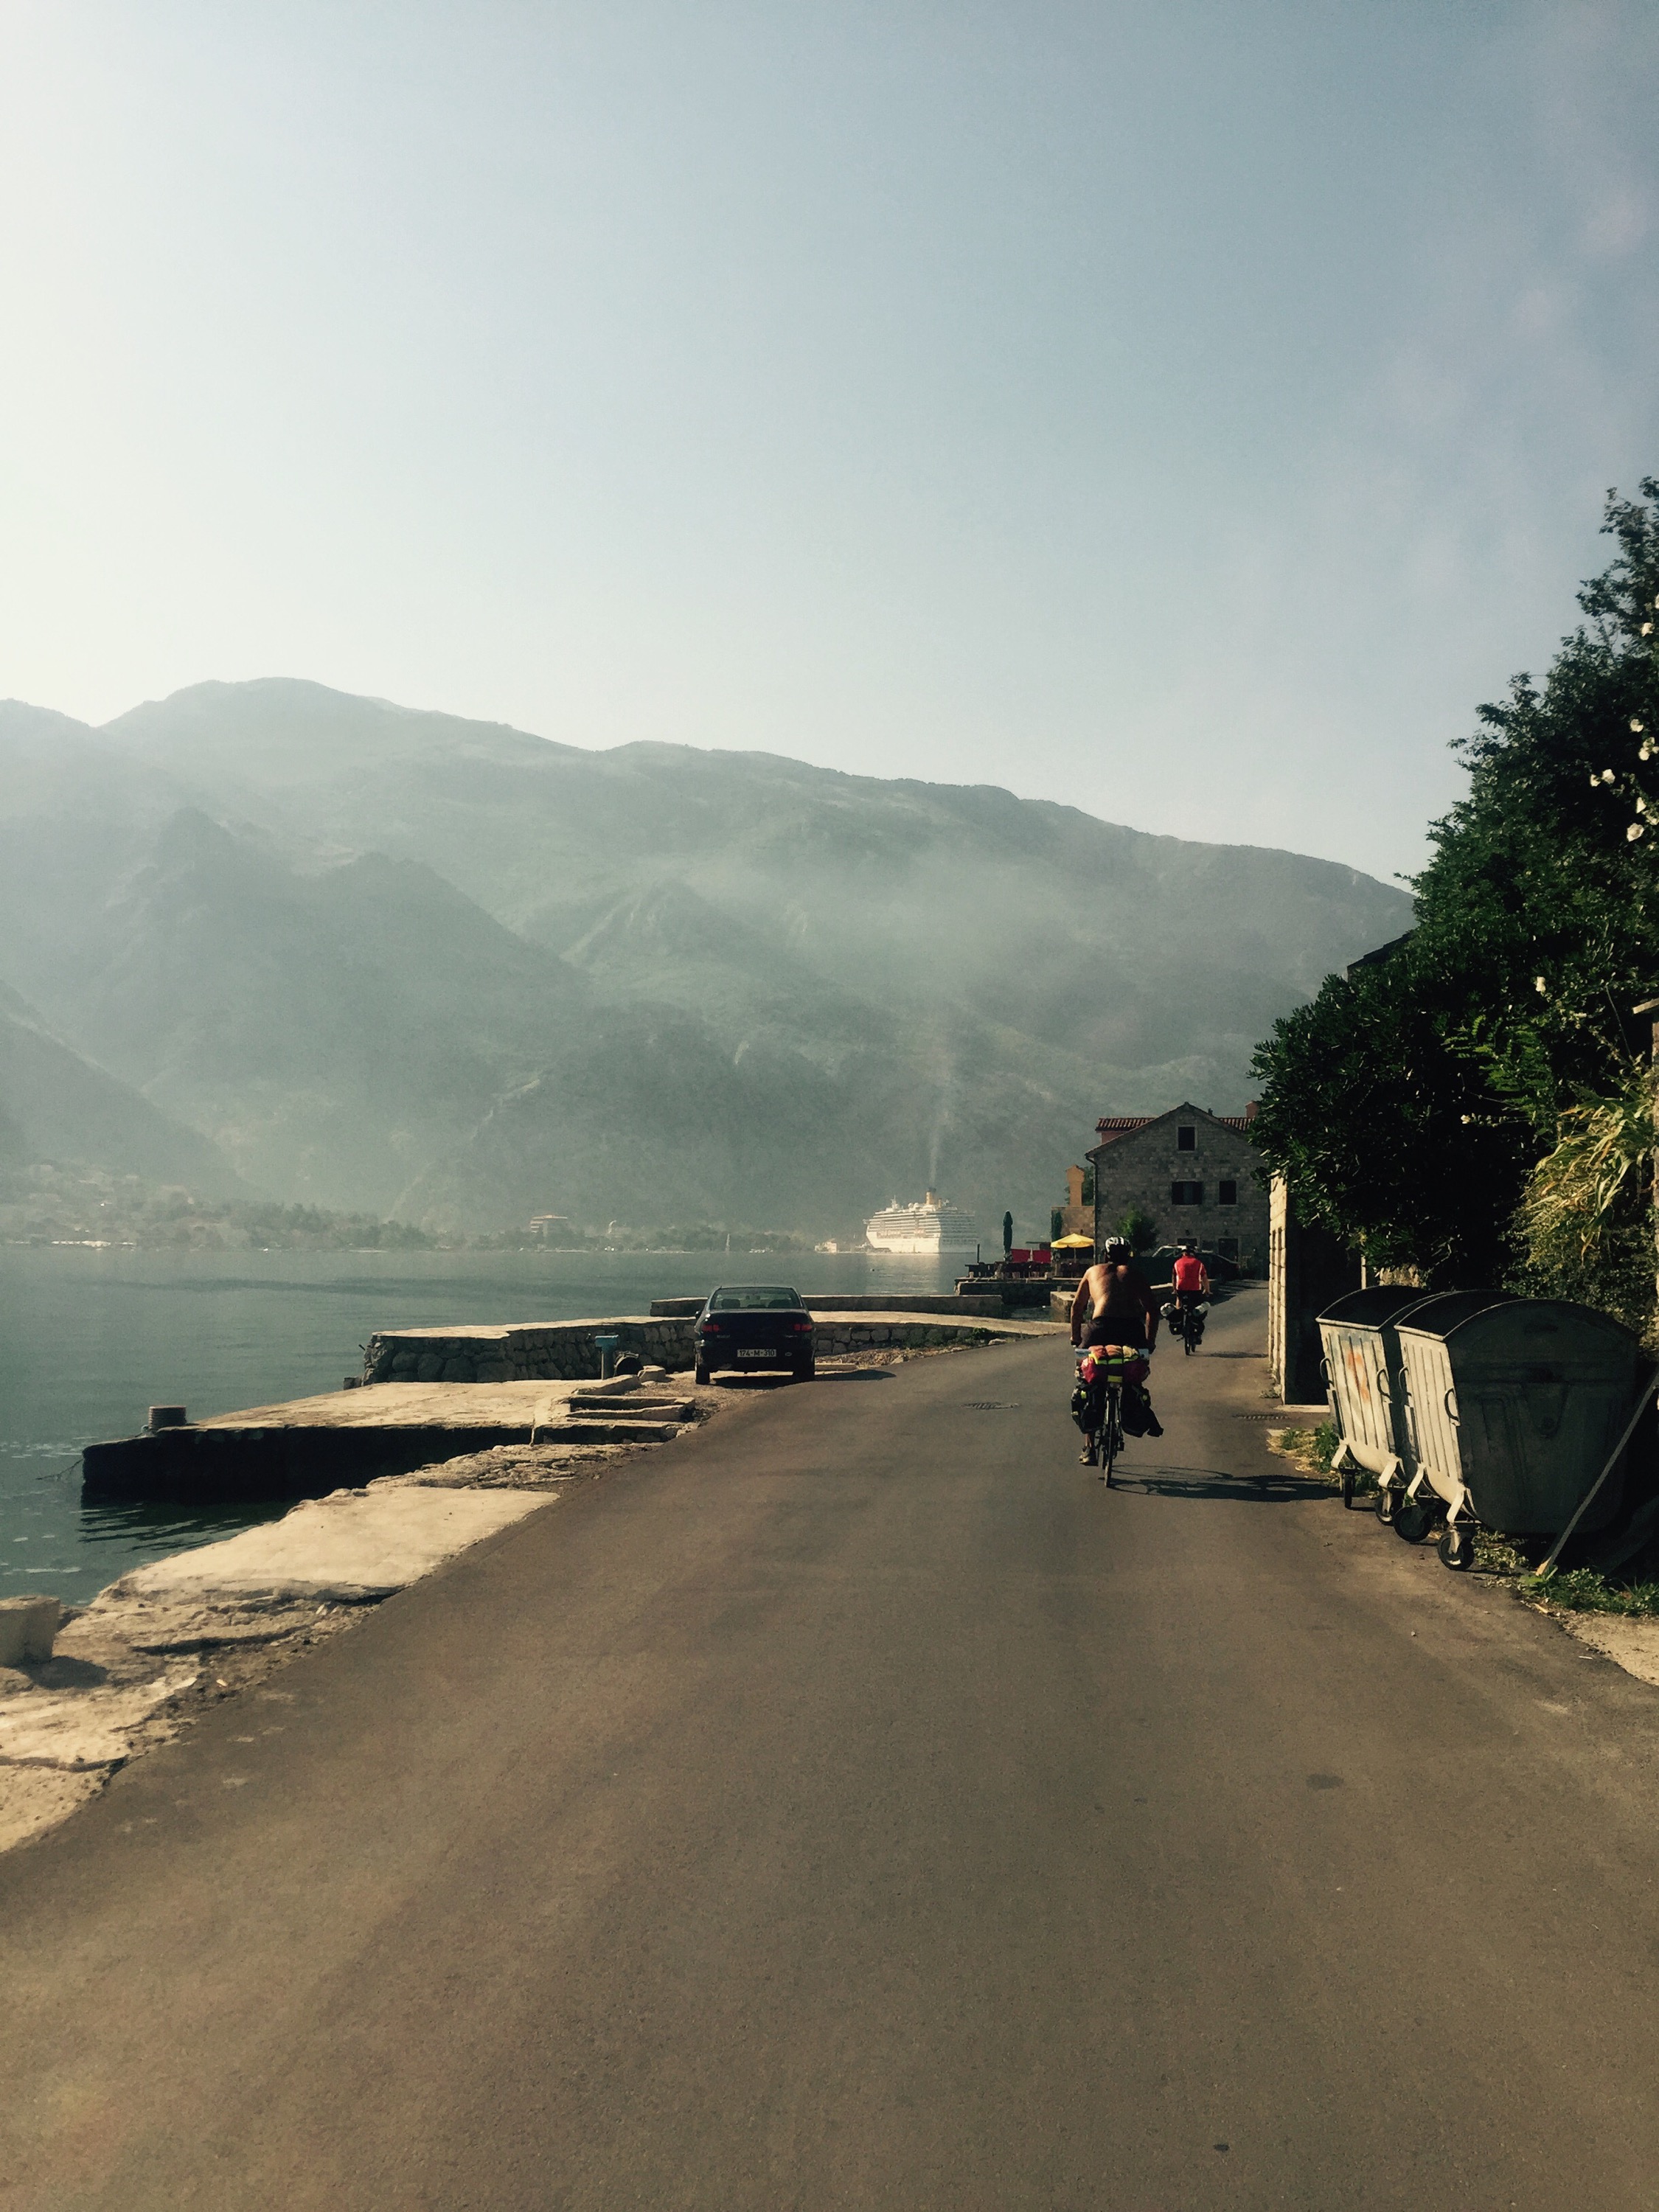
column 859, row 1806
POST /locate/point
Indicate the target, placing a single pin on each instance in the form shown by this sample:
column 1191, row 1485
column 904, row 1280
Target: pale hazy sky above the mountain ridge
column 1185, row 410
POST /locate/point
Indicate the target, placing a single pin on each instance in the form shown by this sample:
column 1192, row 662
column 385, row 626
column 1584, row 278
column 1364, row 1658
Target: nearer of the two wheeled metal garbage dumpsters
column 1512, row 1408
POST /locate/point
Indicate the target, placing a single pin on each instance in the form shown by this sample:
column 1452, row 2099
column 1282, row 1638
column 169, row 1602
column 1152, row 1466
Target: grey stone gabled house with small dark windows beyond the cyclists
column 1191, row 1173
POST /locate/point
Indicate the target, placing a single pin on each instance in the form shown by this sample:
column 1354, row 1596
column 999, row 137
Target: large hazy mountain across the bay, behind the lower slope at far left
column 404, row 961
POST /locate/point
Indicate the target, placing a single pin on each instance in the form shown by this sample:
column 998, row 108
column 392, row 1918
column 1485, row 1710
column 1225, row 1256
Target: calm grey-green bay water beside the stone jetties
column 92, row 1339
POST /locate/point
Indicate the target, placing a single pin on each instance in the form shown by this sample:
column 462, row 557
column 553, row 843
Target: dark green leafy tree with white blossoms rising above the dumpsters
column 1410, row 1103
